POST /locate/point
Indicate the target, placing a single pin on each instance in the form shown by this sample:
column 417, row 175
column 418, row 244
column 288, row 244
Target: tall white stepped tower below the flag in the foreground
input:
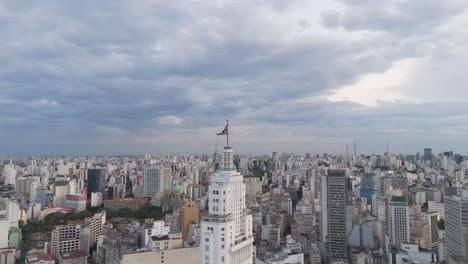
column 227, row 229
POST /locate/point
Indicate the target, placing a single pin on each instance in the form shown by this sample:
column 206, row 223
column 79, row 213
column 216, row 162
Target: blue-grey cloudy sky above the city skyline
column 162, row 76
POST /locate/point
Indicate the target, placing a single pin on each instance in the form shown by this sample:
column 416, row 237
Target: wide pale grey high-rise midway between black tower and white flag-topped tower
column 156, row 179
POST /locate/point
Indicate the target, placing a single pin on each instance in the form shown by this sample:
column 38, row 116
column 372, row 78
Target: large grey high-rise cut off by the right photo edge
column 456, row 217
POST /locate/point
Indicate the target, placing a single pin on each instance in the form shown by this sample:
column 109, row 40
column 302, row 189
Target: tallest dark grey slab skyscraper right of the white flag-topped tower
column 333, row 218
